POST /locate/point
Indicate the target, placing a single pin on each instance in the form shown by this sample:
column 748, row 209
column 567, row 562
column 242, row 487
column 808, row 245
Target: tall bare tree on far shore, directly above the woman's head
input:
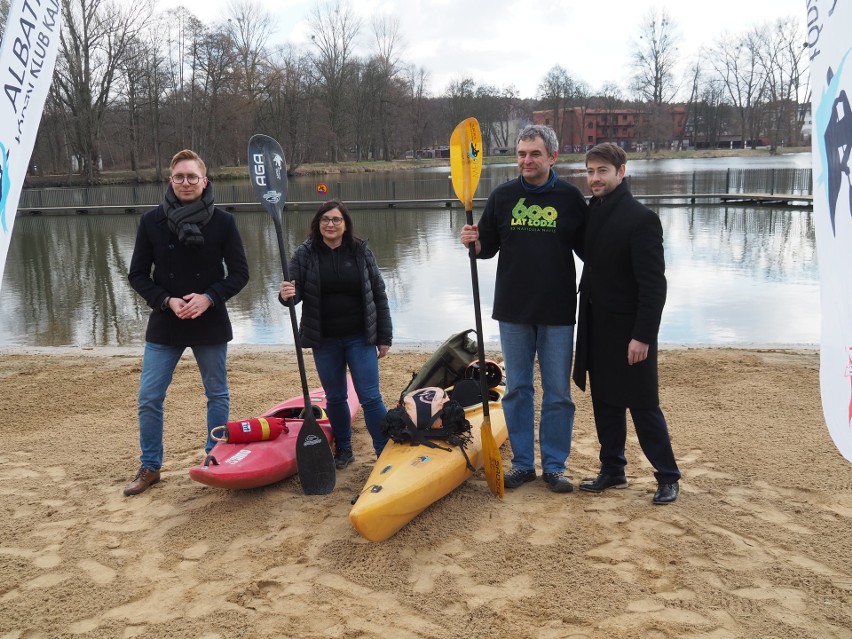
column 334, row 28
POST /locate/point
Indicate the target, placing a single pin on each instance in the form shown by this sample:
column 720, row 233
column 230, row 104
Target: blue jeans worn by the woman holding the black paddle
column 331, row 358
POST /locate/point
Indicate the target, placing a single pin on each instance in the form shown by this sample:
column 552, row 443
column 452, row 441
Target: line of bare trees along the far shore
column 132, row 86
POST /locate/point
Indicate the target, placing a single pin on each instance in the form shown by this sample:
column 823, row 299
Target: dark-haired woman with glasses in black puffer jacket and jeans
column 345, row 321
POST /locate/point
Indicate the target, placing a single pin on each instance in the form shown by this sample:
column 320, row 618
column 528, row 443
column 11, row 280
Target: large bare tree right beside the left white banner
column 94, row 40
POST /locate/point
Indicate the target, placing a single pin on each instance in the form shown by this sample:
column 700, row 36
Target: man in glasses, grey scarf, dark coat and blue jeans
column 182, row 251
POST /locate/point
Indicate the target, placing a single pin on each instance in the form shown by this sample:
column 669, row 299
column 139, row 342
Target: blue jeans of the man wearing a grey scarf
column 158, row 367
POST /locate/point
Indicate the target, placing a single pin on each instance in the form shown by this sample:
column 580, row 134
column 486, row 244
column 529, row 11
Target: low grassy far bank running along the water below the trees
column 241, row 172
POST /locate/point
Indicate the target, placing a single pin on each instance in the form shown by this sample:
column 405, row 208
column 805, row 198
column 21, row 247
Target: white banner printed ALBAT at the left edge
column 27, row 58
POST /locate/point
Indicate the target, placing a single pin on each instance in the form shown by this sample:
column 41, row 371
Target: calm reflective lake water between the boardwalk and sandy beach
column 736, row 276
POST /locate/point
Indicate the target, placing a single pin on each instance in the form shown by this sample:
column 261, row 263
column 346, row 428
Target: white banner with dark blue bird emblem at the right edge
column 829, row 27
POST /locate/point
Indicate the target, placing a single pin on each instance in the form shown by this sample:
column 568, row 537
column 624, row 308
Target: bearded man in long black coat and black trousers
column 622, row 294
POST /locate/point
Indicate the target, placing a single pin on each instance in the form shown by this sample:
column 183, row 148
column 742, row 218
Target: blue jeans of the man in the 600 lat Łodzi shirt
column 554, row 345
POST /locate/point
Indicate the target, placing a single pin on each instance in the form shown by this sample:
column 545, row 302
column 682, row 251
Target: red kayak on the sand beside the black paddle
column 253, row 464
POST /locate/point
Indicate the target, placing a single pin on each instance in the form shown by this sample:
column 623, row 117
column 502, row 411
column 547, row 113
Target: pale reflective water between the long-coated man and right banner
column 740, row 276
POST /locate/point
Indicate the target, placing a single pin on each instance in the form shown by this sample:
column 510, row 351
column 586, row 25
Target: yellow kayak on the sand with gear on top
column 408, row 479
